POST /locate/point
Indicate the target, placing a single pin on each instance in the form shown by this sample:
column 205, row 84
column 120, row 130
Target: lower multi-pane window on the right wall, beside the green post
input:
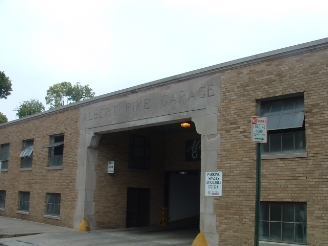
column 283, row 222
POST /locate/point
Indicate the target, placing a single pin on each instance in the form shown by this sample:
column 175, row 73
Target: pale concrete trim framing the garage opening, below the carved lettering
column 206, row 125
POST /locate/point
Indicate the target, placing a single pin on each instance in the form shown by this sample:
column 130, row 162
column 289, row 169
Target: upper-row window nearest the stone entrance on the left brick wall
column 56, row 150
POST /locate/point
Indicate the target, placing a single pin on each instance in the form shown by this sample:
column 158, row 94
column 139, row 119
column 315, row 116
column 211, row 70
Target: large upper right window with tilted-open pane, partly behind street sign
column 286, row 130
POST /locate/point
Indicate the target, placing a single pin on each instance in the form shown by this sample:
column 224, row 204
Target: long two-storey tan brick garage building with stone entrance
column 55, row 165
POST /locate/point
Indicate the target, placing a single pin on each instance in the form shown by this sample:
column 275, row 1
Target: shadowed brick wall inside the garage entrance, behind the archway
column 111, row 190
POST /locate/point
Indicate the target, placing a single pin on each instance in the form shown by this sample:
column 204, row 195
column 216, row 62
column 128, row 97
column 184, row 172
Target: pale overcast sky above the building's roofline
column 116, row 44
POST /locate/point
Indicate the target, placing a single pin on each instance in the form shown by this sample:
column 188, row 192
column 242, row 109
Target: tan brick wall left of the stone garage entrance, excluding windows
column 39, row 180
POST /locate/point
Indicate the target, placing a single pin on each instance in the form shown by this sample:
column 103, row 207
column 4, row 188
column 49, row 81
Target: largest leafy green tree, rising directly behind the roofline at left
column 65, row 91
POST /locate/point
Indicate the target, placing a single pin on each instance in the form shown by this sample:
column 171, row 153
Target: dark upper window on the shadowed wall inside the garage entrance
column 139, row 156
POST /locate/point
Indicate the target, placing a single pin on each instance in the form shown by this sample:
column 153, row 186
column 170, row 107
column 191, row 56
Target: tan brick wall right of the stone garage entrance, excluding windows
column 295, row 179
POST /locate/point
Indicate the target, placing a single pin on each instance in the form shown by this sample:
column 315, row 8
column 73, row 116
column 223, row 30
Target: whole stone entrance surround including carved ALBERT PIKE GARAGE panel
column 162, row 102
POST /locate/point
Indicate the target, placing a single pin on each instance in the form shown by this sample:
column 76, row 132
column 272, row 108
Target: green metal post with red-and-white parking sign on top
column 259, row 135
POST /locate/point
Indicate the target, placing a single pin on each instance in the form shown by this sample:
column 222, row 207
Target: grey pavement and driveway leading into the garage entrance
column 53, row 235
